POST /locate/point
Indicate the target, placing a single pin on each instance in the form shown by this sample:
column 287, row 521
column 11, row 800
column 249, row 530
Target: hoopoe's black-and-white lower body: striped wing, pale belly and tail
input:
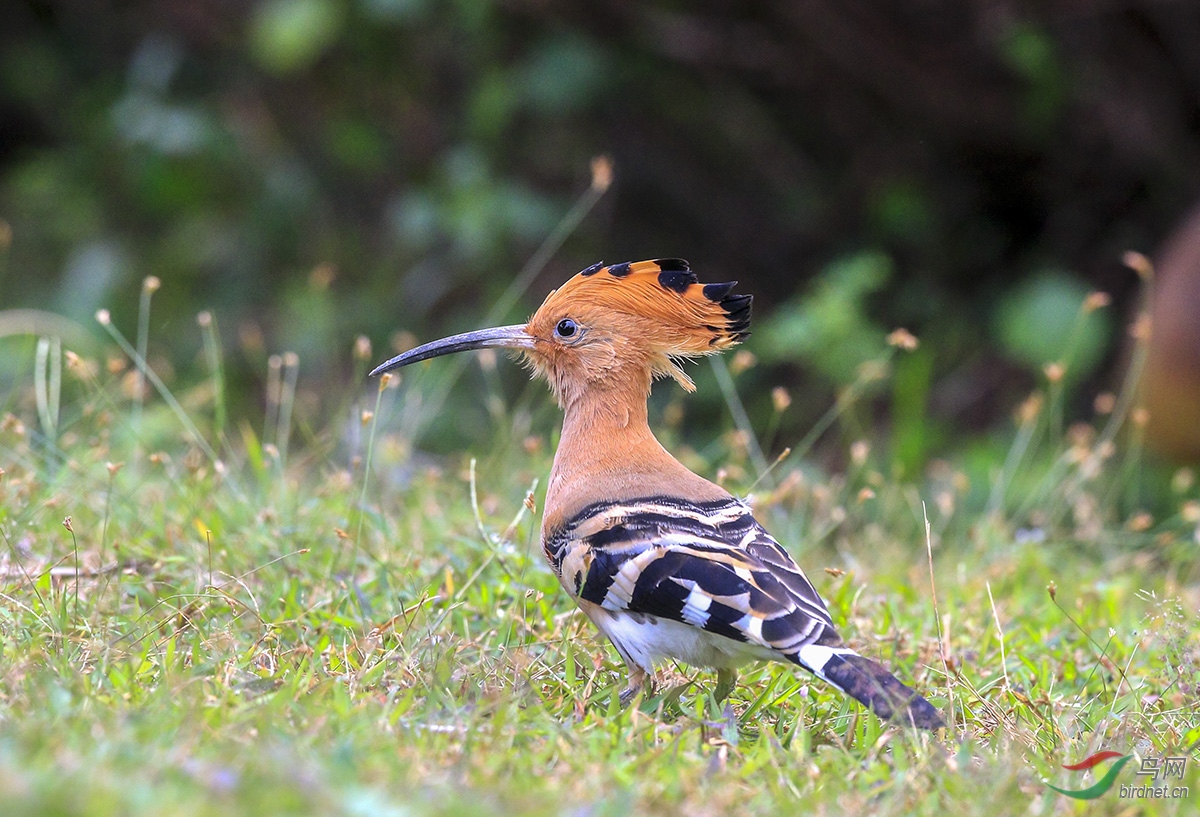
column 705, row 584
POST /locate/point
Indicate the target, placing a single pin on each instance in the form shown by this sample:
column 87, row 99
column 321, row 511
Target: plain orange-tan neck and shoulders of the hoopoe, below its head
column 609, row 453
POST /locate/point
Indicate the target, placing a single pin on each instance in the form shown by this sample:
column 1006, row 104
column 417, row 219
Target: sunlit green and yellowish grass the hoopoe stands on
column 196, row 622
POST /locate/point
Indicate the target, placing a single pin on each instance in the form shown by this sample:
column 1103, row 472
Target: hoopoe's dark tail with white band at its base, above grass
column 871, row 684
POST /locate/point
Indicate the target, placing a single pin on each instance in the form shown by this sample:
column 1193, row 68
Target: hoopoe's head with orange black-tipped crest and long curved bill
column 614, row 328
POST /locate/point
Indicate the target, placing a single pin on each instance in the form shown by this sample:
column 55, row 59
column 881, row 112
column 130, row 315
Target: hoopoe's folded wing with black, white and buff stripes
column 706, row 564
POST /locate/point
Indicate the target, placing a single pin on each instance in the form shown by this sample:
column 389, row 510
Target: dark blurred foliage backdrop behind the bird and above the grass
column 310, row 171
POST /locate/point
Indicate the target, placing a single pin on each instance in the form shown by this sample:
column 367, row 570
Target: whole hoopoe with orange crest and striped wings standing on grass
column 665, row 563
